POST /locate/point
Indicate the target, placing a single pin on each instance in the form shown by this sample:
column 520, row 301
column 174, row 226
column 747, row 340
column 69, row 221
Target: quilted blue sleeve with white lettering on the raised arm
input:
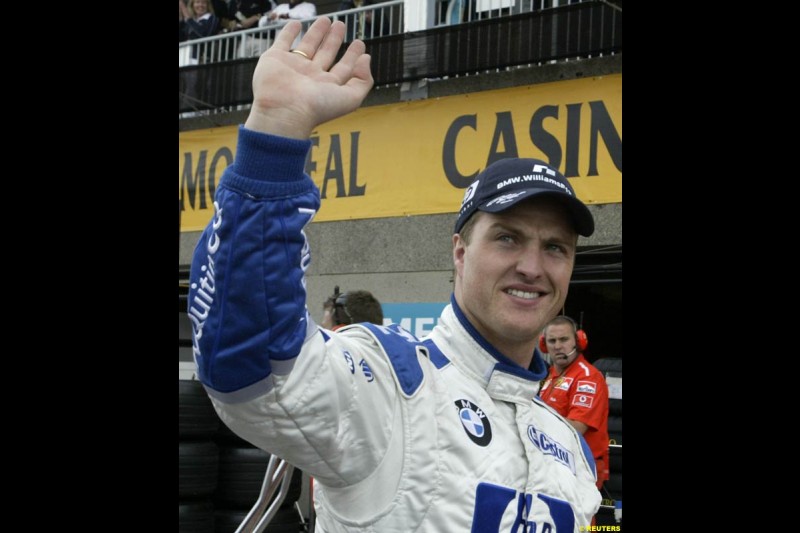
column 247, row 297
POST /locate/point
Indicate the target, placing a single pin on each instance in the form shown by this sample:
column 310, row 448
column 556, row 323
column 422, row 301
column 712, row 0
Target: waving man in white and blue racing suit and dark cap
column 439, row 434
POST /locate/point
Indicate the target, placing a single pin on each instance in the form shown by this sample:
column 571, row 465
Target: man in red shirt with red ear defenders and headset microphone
column 576, row 389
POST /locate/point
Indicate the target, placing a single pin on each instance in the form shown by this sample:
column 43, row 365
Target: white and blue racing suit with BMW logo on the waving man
column 434, row 435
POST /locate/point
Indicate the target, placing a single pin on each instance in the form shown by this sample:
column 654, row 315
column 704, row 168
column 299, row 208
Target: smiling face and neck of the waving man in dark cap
column 512, row 277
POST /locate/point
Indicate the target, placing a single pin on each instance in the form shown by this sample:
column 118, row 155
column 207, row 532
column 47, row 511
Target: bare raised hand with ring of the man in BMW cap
column 294, row 92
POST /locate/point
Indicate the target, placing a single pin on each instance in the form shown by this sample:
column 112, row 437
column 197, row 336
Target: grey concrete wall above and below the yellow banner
column 409, row 259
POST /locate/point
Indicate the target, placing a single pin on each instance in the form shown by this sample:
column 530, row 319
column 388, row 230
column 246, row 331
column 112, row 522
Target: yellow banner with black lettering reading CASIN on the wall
column 416, row 158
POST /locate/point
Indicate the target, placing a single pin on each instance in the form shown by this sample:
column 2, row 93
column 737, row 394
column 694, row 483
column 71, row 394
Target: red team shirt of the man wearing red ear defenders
column 581, row 394
